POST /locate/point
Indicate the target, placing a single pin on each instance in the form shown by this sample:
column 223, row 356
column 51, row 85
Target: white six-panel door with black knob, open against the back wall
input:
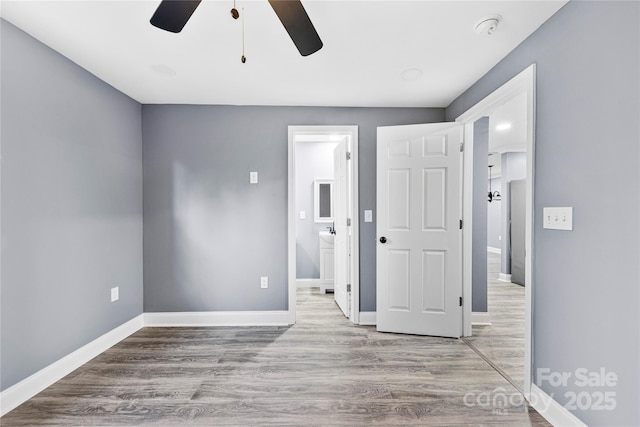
column 419, row 248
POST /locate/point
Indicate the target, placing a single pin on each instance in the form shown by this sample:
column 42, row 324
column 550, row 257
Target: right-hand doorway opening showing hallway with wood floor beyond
column 498, row 300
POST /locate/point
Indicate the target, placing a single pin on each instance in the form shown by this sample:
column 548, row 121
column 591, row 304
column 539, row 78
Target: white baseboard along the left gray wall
column 34, row 384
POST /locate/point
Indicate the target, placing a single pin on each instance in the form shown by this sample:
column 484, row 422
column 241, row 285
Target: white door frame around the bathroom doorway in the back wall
column 352, row 132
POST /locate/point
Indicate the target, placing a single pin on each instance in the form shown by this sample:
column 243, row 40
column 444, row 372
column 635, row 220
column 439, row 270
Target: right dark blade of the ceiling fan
column 298, row 25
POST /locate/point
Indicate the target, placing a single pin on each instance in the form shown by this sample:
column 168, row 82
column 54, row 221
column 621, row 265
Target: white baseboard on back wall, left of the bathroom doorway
column 217, row 318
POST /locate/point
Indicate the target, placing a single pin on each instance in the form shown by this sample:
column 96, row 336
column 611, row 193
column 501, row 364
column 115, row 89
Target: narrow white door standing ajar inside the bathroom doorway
column 342, row 229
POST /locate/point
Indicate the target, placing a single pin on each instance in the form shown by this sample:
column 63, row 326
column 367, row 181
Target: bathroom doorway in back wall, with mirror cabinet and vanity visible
column 322, row 215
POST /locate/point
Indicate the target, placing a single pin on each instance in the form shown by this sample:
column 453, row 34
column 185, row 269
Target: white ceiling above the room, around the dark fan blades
column 368, row 45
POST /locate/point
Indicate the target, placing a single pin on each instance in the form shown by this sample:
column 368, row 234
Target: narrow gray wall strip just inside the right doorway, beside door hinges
column 479, row 238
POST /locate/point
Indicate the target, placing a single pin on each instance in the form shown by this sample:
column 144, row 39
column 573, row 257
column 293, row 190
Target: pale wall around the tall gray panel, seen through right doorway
column 514, row 167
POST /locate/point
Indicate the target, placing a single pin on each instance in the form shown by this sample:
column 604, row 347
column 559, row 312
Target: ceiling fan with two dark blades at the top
column 172, row 15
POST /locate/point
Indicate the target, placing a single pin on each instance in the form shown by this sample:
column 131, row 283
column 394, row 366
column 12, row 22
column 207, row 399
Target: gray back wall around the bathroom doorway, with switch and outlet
column 208, row 234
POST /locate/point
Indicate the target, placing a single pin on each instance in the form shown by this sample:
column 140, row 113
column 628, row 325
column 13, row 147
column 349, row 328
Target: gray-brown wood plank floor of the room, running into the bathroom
column 321, row 371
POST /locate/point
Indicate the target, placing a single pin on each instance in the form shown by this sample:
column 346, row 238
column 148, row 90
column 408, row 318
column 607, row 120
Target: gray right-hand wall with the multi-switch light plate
column 586, row 291
